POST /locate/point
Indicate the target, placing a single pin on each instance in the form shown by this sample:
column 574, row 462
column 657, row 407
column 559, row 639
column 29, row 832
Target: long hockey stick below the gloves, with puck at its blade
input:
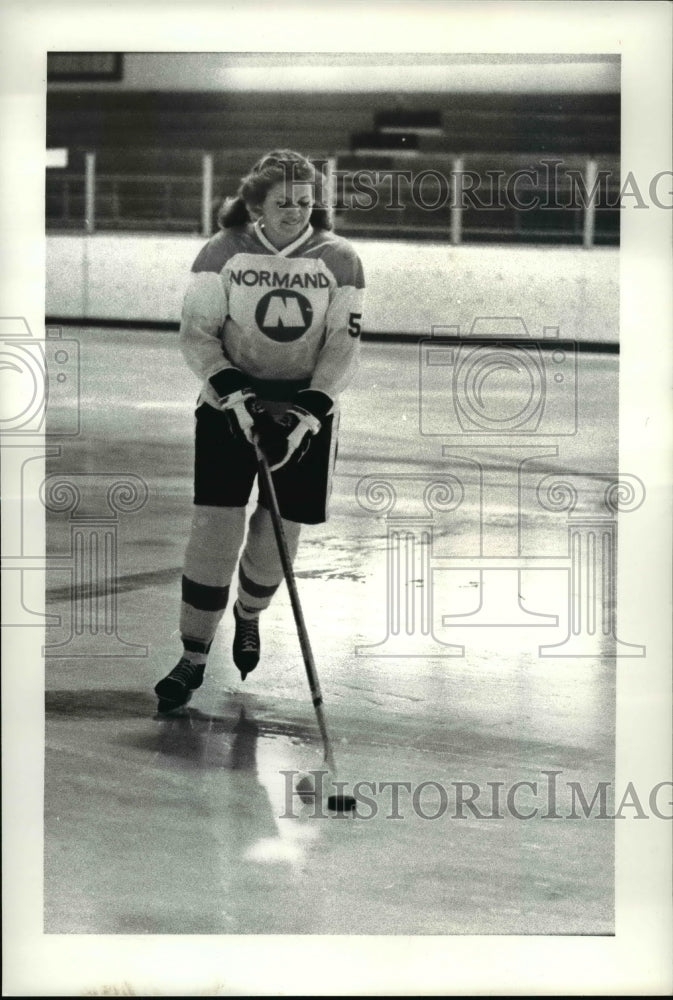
column 337, row 802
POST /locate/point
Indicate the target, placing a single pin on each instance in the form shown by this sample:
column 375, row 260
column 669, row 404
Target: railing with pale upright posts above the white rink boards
column 460, row 199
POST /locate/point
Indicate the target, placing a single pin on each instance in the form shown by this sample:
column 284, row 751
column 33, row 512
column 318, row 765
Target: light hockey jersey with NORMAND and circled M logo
column 281, row 316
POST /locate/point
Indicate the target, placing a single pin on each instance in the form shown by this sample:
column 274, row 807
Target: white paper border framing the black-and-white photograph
column 638, row 958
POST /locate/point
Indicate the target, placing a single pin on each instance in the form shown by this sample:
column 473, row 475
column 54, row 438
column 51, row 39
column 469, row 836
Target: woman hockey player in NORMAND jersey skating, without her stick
column 270, row 325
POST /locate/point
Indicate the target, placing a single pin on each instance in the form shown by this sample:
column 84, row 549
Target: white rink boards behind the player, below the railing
column 410, row 286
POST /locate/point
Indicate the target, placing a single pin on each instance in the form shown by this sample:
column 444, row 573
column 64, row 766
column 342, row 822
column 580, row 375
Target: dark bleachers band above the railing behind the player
column 320, row 124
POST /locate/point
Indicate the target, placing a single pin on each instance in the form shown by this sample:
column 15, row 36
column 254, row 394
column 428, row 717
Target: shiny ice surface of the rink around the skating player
column 444, row 569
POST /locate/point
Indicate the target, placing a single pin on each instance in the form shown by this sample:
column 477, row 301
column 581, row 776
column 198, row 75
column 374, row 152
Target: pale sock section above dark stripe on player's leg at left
column 214, row 543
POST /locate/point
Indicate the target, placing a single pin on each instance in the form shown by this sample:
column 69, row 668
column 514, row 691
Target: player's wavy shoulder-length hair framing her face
column 279, row 165
